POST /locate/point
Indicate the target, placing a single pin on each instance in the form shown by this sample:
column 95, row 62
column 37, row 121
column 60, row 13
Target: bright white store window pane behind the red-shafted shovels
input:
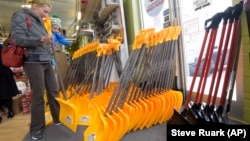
column 194, row 13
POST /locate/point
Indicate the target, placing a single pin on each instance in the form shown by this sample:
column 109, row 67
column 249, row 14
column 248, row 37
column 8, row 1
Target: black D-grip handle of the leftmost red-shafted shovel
column 214, row 21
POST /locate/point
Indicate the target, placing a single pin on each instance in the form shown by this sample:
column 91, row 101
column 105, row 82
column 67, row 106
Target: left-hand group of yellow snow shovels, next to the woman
column 87, row 81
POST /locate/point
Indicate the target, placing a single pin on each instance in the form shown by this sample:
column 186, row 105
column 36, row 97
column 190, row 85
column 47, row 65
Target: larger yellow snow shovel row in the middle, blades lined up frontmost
column 143, row 96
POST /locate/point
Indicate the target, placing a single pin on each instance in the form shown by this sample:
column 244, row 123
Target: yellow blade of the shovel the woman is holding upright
column 69, row 114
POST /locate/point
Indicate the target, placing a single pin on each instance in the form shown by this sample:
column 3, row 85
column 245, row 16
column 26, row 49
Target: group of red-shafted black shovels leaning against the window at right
column 198, row 112
